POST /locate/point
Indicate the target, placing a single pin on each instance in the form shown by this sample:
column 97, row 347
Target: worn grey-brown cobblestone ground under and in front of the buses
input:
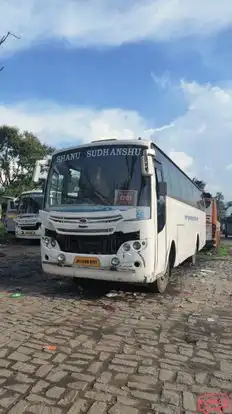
column 132, row 353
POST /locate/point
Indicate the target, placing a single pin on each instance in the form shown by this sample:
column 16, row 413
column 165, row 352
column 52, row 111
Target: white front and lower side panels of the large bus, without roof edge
column 153, row 256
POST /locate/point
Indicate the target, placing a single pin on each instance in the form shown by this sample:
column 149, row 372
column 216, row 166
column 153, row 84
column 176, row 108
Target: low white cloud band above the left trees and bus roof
column 57, row 125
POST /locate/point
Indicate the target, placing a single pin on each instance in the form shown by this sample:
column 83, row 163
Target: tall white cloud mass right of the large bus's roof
column 204, row 133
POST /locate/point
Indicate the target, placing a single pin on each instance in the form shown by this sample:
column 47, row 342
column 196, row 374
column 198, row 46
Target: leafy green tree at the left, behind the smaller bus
column 18, row 154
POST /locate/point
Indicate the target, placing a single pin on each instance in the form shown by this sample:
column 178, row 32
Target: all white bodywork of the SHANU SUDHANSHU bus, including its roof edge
column 185, row 227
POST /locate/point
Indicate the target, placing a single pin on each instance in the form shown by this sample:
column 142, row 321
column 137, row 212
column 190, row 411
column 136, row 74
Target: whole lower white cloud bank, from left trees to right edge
column 199, row 141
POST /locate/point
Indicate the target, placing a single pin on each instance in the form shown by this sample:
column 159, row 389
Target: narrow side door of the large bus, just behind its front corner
column 161, row 241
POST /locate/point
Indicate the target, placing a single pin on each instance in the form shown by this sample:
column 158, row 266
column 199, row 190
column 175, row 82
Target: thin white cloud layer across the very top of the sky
column 107, row 22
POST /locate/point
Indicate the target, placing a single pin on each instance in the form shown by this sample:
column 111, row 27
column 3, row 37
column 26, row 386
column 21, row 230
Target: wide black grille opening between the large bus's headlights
column 92, row 244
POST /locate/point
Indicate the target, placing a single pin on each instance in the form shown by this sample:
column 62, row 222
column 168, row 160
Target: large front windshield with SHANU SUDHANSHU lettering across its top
column 102, row 176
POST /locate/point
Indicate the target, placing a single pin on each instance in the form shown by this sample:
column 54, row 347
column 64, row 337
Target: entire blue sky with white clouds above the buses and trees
column 84, row 70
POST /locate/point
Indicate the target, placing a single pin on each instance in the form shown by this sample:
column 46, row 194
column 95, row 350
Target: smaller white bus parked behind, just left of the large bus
column 27, row 221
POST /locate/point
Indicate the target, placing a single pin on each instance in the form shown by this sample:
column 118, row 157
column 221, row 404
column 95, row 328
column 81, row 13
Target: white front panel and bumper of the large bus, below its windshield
column 126, row 270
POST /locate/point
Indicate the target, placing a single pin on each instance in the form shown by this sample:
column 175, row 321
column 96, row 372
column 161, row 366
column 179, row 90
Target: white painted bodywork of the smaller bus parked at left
column 28, row 225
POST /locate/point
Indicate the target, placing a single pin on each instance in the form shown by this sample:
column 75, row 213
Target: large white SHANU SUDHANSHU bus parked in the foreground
column 123, row 211
